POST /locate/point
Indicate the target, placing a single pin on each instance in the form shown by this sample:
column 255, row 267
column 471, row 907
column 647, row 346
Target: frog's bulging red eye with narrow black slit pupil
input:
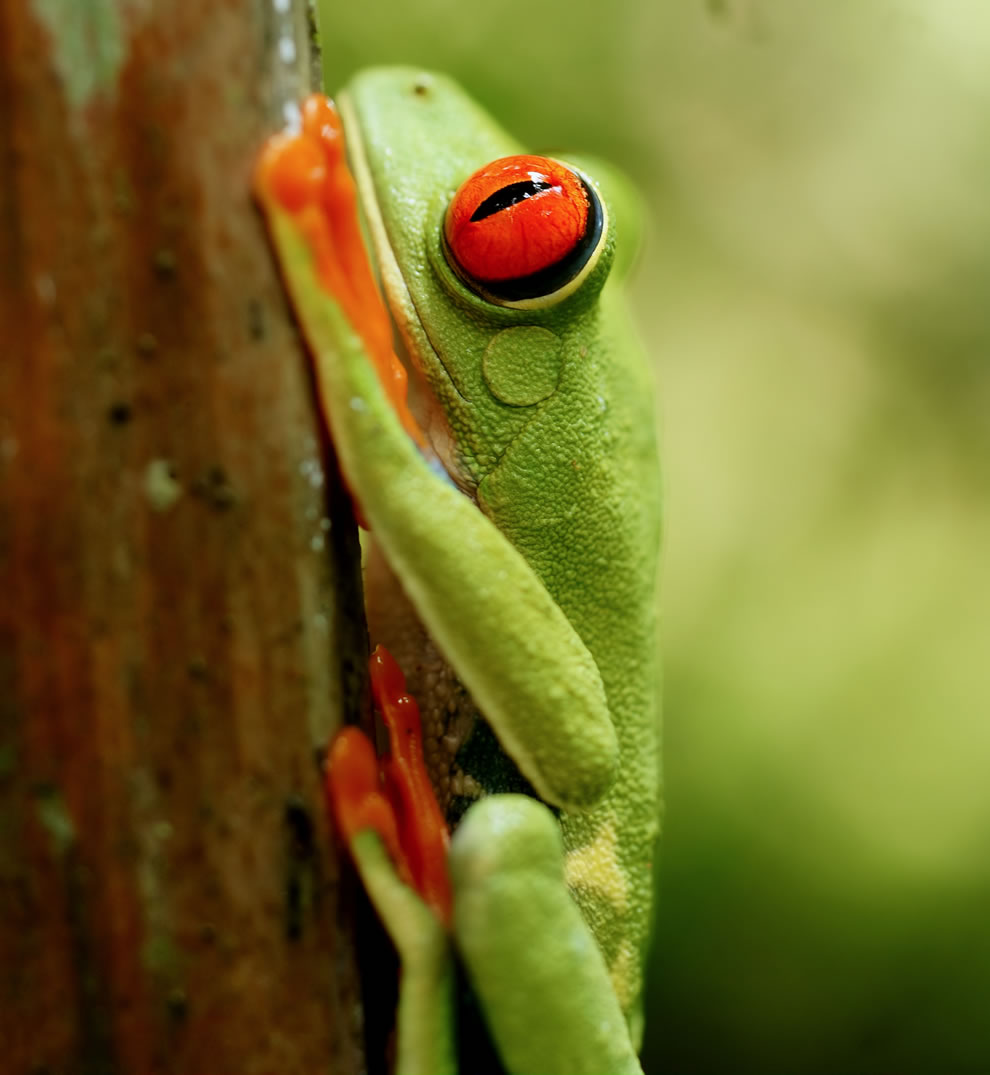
column 523, row 228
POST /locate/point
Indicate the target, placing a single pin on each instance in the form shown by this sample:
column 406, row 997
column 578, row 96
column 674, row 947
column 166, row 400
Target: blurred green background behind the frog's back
column 814, row 290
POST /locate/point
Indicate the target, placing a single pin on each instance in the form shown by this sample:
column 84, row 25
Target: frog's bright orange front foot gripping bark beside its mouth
column 307, row 176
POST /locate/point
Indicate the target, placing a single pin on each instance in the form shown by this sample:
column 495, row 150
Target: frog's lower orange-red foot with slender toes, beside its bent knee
column 394, row 797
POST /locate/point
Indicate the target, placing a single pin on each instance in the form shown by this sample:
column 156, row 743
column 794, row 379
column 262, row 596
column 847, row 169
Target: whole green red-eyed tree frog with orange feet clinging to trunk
column 513, row 503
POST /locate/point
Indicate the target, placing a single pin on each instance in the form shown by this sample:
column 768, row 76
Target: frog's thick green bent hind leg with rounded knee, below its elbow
column 532, row 958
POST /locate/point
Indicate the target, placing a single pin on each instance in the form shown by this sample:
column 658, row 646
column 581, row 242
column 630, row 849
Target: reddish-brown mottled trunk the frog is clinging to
column 169, row 901
